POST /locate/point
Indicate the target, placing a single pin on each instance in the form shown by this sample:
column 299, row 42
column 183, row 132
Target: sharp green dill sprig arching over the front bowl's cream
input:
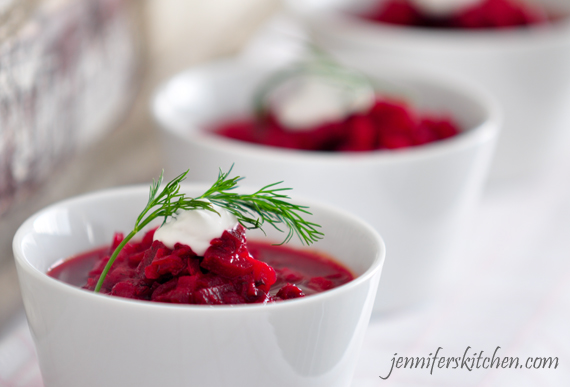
column 267, row 205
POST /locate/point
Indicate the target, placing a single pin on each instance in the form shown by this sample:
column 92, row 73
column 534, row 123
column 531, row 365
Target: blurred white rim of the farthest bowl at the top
column 343, row 23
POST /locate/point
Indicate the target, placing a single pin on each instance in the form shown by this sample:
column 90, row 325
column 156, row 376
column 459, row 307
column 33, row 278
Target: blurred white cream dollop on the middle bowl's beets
column 309, row 100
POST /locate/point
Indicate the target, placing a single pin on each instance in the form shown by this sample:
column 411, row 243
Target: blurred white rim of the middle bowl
column 487, row 130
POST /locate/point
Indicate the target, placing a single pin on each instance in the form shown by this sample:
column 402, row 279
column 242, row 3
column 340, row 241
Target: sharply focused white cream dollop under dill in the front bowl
column 196, row 228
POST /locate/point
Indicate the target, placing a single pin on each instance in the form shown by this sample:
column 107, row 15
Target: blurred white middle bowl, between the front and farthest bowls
column 418, row 198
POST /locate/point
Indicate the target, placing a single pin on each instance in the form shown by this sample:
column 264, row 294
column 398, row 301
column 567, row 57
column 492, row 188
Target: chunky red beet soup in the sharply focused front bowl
column 232, row 271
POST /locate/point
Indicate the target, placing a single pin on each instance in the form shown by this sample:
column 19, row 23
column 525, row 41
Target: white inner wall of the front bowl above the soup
column 81, row 224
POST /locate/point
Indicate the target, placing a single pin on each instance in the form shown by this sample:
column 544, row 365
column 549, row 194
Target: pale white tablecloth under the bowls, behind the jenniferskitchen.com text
column 509, row 288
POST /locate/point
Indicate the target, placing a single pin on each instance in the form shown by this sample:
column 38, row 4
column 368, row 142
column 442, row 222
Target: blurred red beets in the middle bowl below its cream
column 387, row 125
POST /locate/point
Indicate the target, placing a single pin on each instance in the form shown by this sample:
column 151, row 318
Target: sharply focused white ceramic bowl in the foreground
column 86, row 339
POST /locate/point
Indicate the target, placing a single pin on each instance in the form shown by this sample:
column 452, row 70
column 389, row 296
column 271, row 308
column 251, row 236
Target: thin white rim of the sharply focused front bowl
column 26, row 228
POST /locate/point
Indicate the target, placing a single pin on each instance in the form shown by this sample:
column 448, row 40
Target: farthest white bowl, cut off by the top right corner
column 527, row 69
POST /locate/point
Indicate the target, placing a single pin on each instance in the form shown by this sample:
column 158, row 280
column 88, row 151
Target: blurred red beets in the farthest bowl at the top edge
column 484, row 14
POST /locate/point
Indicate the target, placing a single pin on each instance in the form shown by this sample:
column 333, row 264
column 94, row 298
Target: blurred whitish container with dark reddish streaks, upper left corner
column 69, row 72
